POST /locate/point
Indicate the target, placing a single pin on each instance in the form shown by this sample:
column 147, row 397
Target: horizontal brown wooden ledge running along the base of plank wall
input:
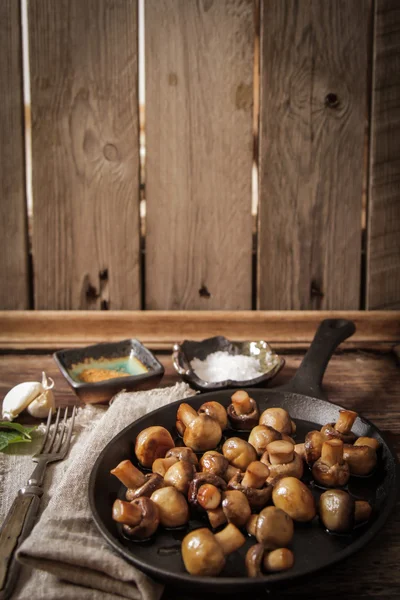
column 26, row 330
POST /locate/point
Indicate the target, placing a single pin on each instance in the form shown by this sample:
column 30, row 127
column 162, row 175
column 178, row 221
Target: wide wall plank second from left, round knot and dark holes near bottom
column 83, row 58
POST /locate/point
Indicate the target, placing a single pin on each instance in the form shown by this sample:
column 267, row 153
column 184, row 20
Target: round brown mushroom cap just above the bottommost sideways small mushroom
column 274, row 528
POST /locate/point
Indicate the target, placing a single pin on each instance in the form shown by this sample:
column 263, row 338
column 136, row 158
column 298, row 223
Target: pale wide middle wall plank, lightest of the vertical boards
column 199, row 96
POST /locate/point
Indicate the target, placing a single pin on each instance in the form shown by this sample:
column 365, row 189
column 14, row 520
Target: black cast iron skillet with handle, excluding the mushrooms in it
column 313, row 547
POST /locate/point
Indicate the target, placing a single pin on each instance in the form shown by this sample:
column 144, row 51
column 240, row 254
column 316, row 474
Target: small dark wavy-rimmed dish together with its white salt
column 204, row 364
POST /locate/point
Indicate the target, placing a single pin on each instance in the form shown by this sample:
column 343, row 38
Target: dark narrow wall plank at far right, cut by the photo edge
column 383, row 252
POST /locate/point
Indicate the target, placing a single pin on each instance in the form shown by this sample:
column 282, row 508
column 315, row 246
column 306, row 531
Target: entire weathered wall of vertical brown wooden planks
column 328, row 70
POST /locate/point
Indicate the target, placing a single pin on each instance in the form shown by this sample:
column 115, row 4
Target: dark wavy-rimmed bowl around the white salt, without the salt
column 183, row 354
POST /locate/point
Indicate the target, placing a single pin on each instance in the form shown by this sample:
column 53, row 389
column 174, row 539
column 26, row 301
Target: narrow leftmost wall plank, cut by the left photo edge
column 13, row 230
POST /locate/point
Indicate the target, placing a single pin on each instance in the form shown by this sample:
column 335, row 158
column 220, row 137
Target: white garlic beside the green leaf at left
column 37, row 397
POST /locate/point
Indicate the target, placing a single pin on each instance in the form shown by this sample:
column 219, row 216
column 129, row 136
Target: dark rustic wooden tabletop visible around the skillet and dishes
column 367, row 381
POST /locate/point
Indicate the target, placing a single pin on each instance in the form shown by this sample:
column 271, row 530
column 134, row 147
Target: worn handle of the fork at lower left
column 16, row 527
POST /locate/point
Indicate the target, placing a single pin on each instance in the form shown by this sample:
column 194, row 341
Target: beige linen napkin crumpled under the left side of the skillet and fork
column 73, row 558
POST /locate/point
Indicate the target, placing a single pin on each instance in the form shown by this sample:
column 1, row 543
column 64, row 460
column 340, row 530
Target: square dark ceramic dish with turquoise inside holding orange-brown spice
column 128, row 356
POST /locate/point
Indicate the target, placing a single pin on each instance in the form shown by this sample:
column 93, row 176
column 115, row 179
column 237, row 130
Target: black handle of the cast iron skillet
column 308, row 379
